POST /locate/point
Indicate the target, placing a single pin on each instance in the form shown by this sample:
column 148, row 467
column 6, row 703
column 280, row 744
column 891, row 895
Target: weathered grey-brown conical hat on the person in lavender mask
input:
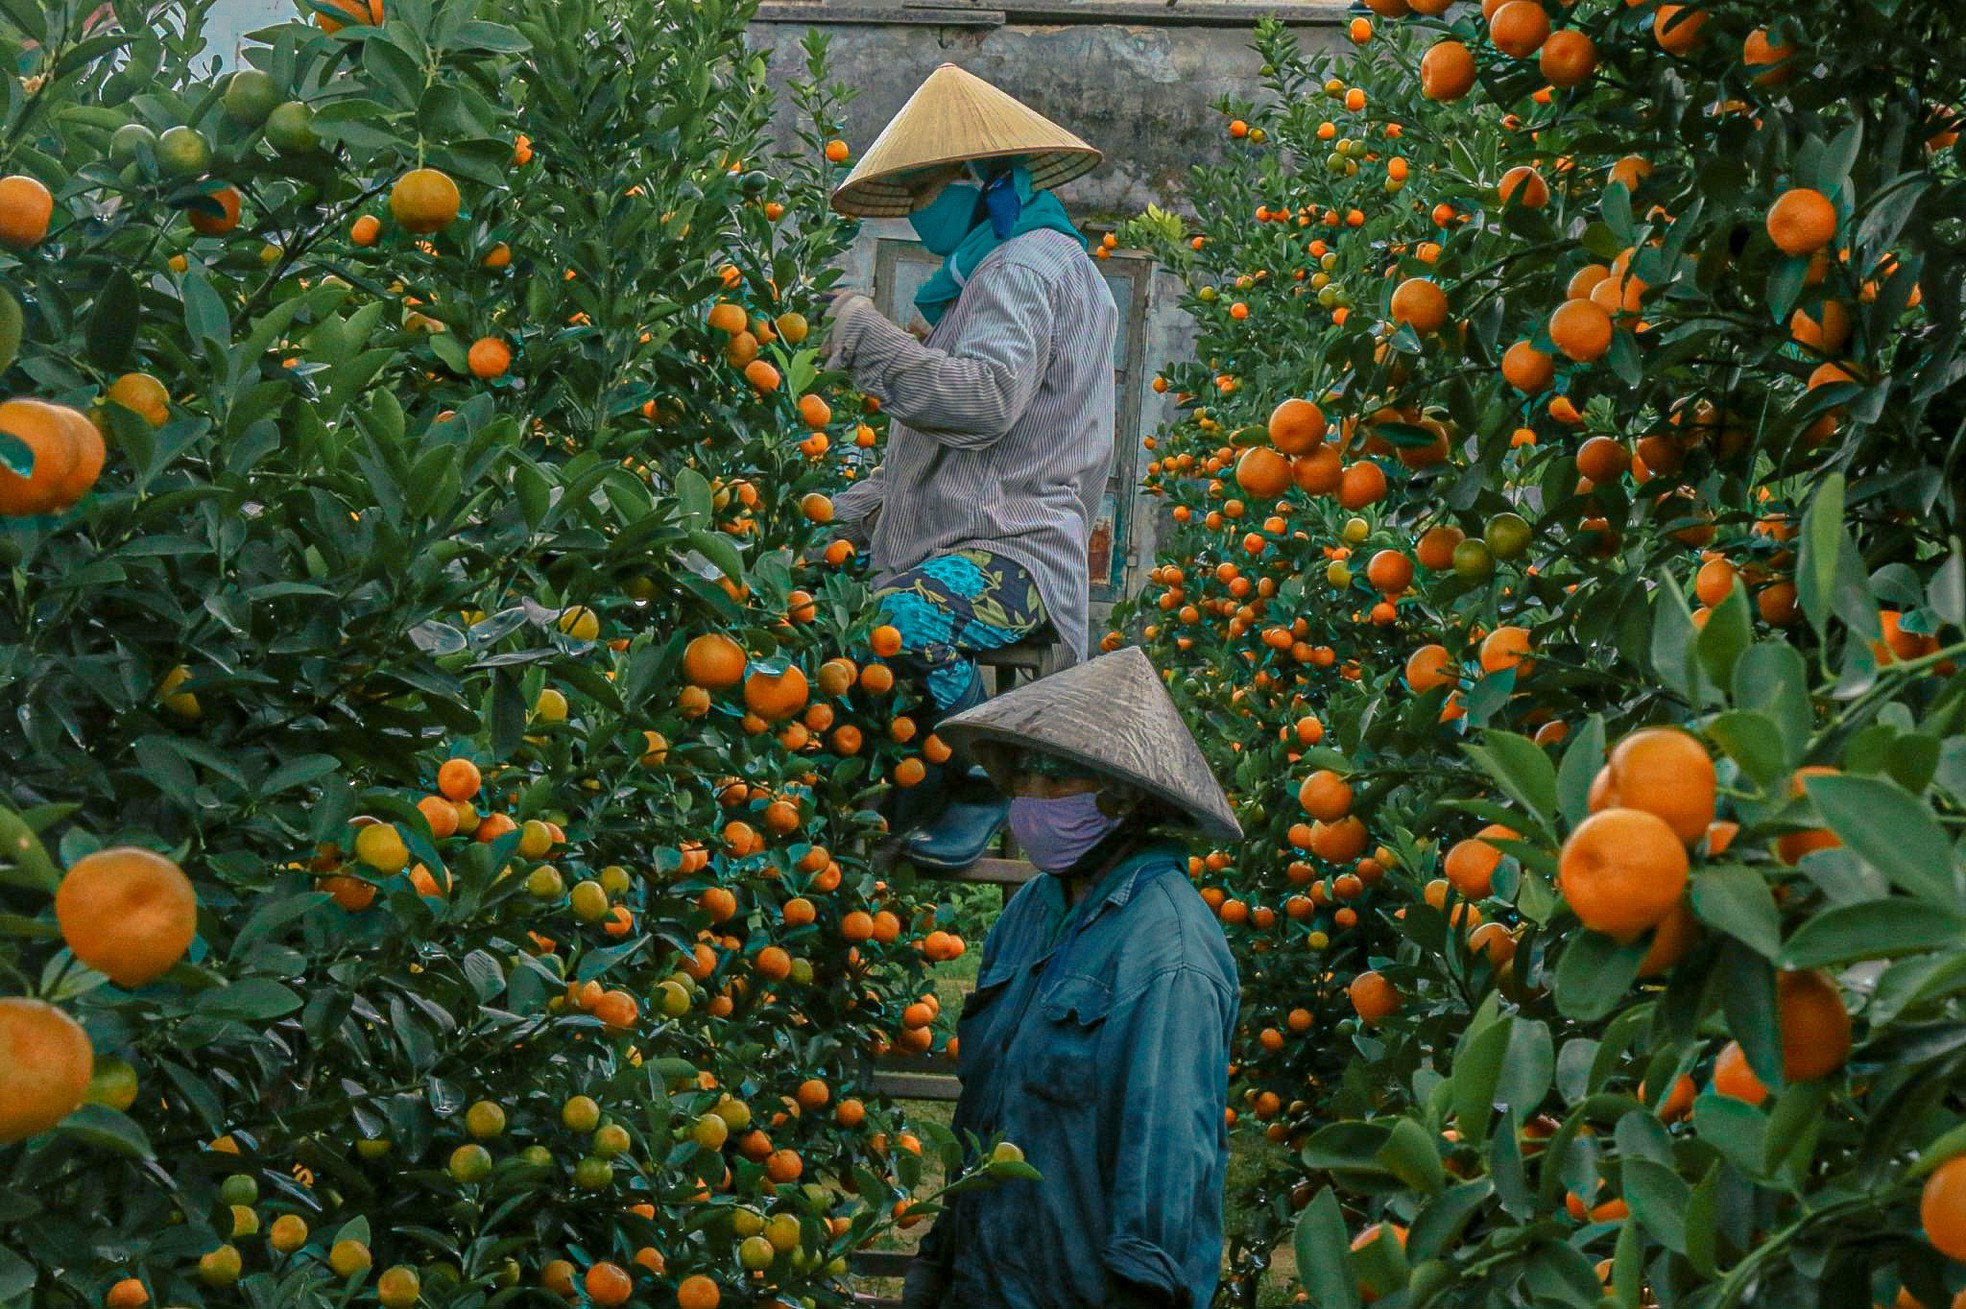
column 1112, row 716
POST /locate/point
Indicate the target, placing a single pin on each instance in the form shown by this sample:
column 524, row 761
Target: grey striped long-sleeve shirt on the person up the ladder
column 1002, row 424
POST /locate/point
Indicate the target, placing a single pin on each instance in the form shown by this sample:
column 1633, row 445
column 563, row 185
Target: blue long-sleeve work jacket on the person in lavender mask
column 1098, row 1041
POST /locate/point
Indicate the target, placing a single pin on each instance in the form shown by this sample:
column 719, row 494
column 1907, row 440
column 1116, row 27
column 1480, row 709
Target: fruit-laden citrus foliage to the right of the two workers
column 1564, row 555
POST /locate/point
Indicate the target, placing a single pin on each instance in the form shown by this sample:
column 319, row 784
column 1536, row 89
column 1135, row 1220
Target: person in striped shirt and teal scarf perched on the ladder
column 1002, row 420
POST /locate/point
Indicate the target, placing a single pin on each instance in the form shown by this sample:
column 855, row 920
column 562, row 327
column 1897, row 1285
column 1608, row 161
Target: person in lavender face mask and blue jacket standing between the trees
column 1098, row 1037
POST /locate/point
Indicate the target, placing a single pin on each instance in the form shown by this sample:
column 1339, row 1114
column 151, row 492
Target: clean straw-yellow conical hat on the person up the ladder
column 956, row 117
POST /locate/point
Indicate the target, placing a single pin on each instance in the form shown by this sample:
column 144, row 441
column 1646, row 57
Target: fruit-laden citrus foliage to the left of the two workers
column 439, row 736
